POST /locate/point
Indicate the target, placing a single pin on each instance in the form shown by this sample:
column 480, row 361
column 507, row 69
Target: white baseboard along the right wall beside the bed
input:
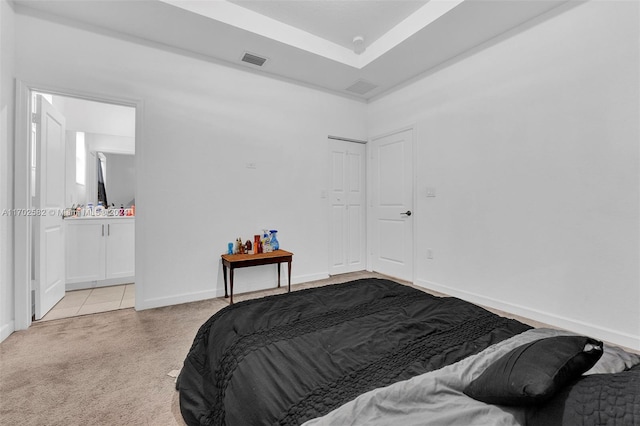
column 592, row 330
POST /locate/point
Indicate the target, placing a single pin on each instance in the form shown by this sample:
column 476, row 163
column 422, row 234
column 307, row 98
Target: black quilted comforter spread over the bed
column 286, row 359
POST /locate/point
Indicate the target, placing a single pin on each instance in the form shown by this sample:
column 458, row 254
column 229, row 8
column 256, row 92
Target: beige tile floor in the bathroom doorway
column 93, row 300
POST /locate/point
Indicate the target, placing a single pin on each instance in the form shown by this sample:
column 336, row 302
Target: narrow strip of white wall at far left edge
column 7, row 104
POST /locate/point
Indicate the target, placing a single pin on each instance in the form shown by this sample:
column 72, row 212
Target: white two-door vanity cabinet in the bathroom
column 100, row 250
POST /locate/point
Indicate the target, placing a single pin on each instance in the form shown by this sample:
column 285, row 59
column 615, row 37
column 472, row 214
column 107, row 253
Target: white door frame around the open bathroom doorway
column 22, row 181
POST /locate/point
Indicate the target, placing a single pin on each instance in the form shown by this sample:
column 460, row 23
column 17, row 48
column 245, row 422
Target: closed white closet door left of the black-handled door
column 347, row 244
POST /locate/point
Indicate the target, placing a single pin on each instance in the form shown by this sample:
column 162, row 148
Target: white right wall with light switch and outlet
column 532, row 145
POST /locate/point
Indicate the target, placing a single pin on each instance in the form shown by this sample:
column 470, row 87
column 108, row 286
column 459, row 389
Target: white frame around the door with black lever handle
column 370, row 216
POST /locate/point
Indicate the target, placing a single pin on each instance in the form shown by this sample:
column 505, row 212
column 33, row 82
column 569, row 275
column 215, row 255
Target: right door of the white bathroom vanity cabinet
column 120, row 248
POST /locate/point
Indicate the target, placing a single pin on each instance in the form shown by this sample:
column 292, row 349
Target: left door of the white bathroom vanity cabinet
column 85, row 251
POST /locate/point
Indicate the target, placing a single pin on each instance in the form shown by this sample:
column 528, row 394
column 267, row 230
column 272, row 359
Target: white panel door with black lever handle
column 391, row 205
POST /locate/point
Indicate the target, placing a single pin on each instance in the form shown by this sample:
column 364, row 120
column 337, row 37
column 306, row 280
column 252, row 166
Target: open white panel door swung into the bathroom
column 49, row 241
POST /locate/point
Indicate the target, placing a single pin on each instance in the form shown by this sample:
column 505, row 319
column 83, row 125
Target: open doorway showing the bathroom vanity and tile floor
column 96, row 144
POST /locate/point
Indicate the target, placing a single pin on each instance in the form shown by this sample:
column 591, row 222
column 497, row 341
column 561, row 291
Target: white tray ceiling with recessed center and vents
column 310, row 41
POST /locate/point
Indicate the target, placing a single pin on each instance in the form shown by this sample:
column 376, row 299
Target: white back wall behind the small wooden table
column 201, row 124
